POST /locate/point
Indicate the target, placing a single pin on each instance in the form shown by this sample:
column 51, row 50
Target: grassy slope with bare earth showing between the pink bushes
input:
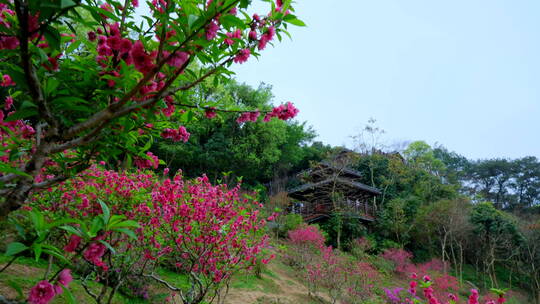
column 279, row 284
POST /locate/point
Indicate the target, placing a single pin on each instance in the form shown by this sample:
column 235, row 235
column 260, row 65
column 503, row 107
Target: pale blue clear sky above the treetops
column 461, row 73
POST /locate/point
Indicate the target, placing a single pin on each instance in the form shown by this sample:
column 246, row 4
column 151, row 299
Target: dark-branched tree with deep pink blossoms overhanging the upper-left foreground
column 86, row 80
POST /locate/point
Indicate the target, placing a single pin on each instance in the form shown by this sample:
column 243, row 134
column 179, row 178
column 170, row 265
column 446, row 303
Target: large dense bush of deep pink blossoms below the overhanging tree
column 120, row 224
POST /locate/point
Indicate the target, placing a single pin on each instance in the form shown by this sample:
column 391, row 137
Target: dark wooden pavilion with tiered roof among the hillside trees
column 332, row 187
